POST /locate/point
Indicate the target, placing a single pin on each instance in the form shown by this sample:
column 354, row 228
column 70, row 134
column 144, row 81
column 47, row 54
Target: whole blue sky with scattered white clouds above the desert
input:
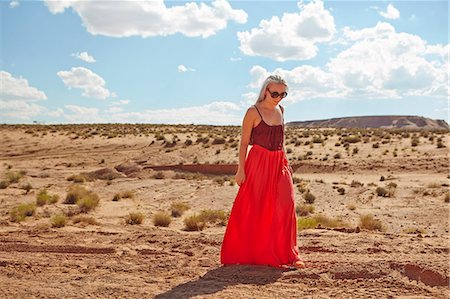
column 203, row 62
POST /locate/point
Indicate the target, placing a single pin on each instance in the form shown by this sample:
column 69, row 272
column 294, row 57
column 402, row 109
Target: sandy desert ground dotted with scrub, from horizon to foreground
column 139, row 211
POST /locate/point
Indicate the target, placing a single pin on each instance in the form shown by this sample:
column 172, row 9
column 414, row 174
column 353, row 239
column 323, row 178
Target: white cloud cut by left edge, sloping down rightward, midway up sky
column 18, row 88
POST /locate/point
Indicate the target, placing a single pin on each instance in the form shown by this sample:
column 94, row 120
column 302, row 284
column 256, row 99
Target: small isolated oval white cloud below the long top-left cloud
column 92, row 84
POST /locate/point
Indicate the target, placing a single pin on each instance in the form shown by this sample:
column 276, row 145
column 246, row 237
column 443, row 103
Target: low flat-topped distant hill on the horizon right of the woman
column 376, row 121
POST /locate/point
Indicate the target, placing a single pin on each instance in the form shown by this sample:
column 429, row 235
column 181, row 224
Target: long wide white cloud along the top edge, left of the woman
column 150, row 17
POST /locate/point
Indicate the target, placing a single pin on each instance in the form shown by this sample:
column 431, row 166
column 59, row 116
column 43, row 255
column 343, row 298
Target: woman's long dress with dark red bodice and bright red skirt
column 262, row 228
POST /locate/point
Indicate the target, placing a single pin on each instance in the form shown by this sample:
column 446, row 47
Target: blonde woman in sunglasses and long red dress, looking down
column 262, row 228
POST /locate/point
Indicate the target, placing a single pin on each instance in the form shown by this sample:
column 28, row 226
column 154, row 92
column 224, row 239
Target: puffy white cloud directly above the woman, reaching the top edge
column 293, row 37
